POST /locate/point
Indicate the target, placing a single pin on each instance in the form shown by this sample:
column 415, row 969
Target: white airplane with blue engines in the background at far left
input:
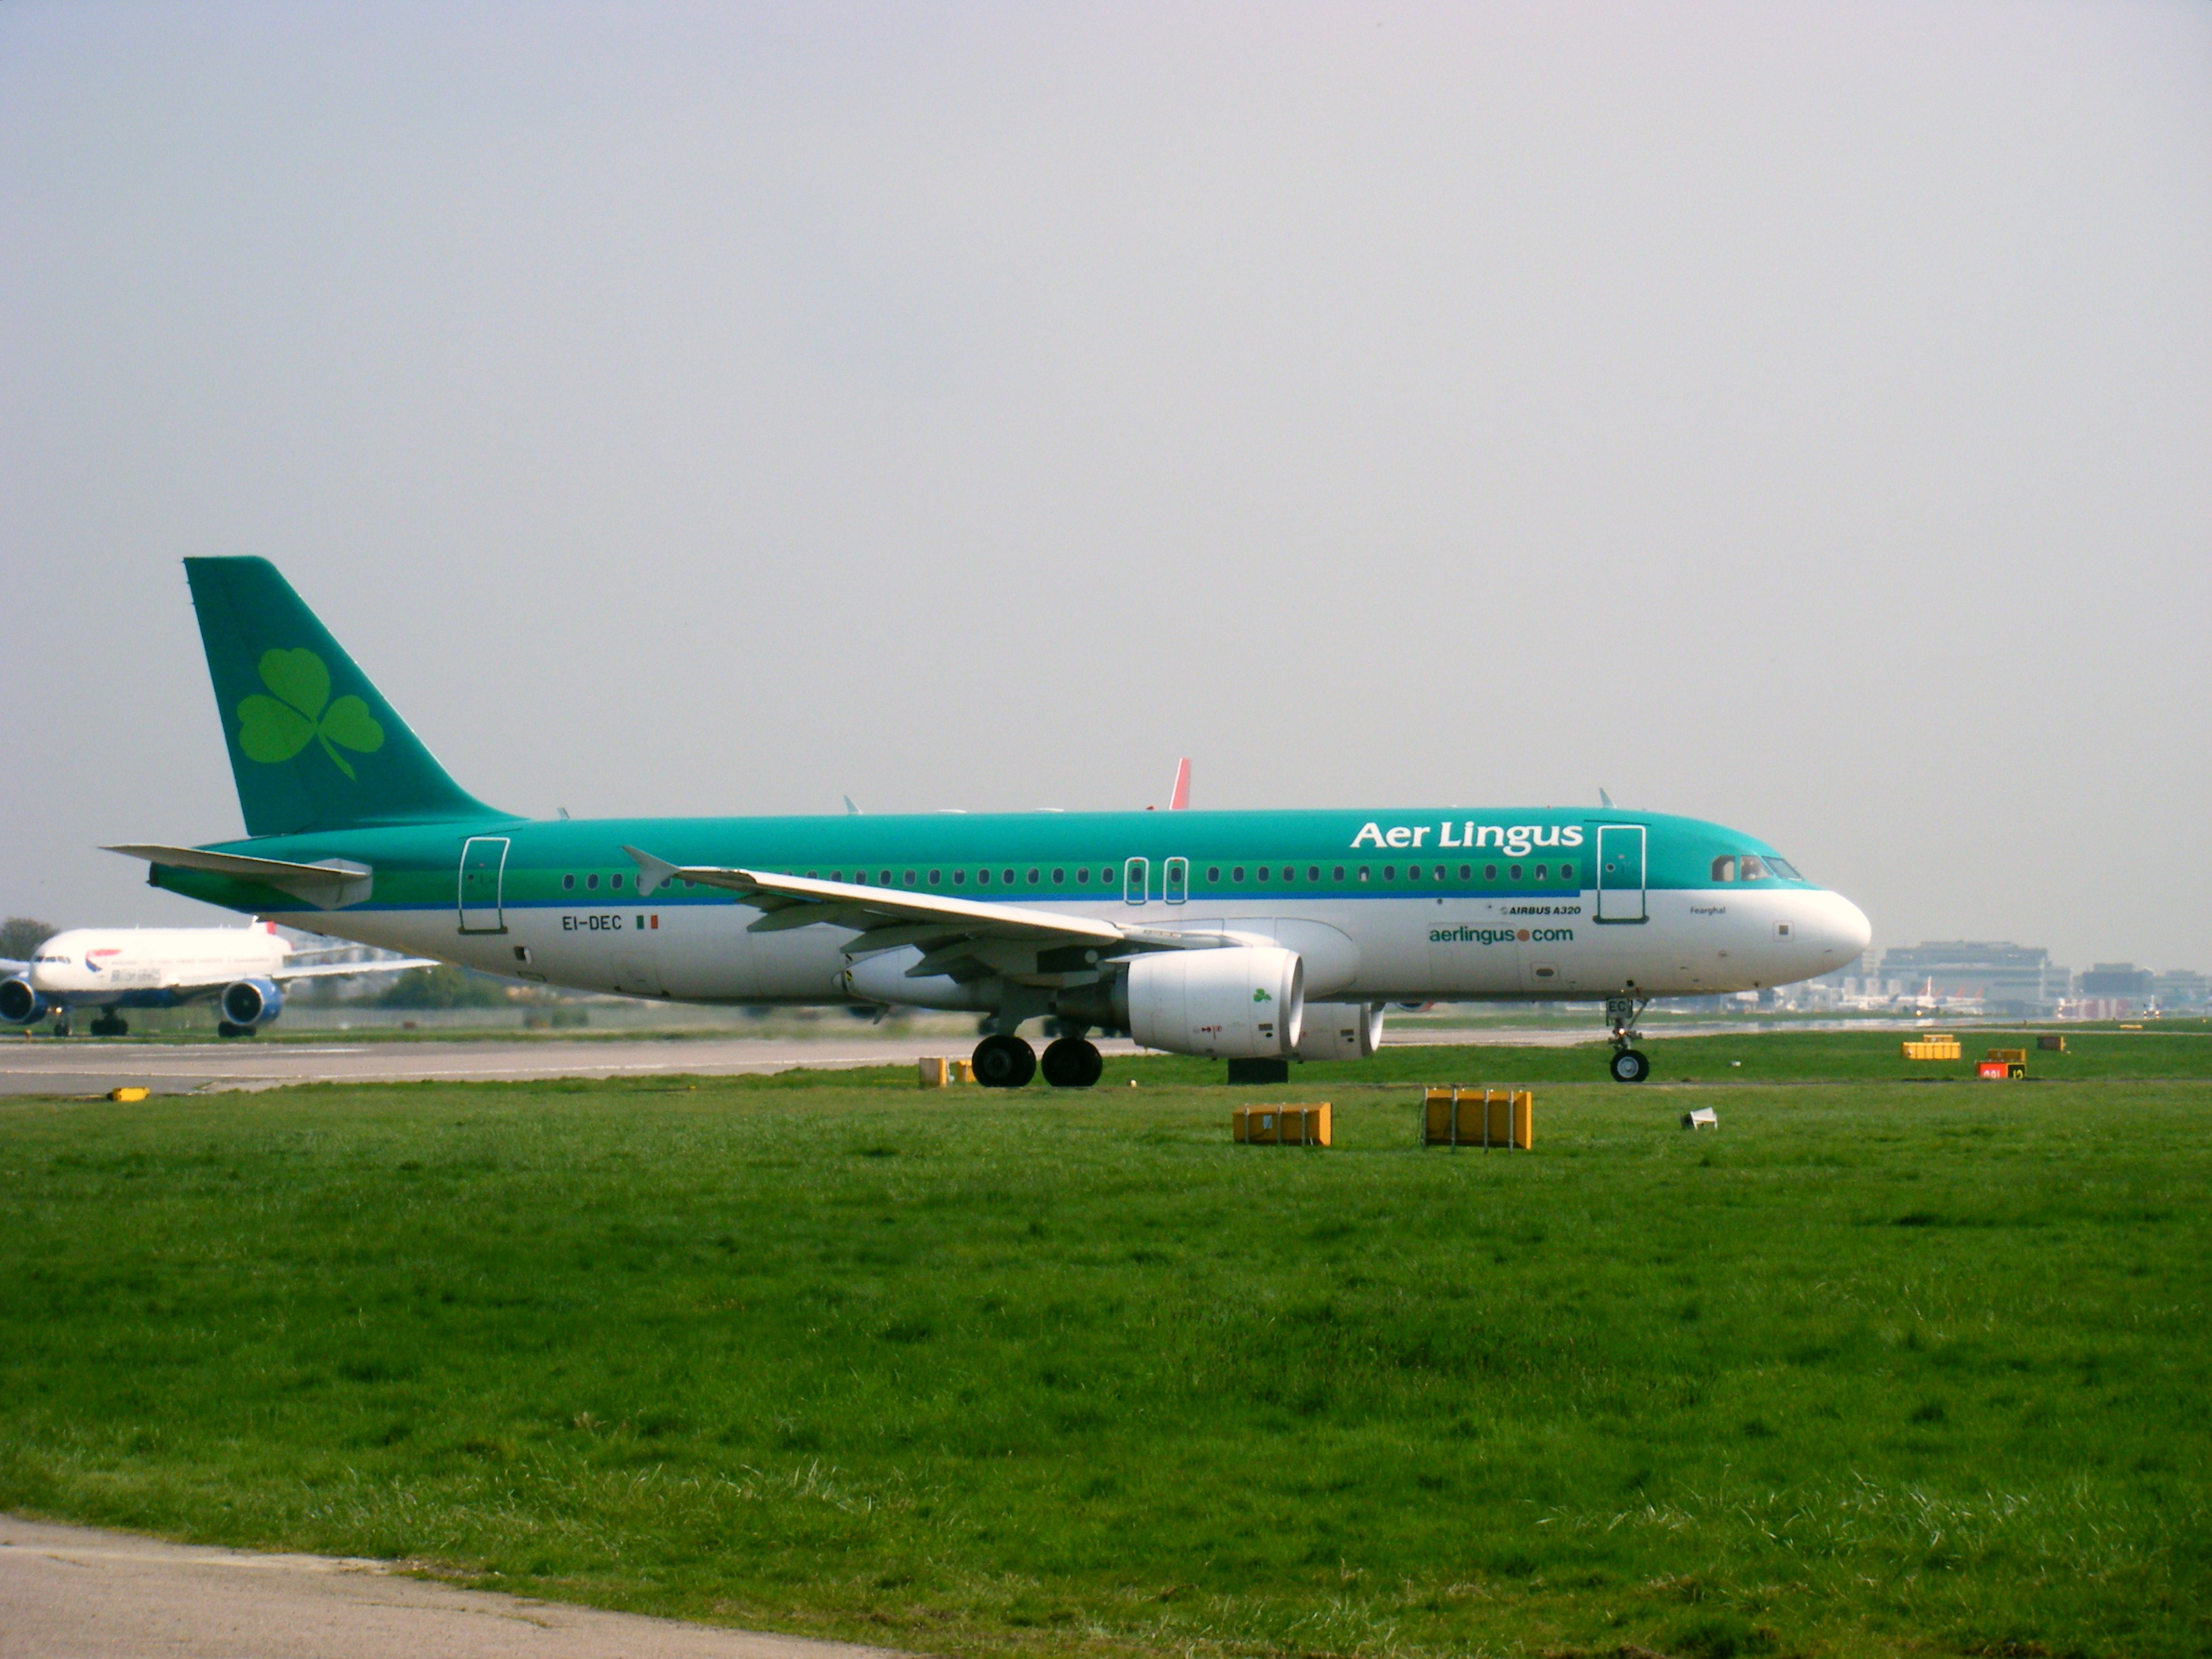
column 242, row 970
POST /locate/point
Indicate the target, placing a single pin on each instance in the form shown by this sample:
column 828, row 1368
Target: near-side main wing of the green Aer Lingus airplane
column 957, row 937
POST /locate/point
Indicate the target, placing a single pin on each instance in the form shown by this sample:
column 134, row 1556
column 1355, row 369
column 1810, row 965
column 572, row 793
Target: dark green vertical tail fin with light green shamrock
column 313, row 744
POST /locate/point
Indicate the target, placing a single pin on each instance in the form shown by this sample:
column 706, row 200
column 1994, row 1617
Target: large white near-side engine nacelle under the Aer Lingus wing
column 1240, row 1003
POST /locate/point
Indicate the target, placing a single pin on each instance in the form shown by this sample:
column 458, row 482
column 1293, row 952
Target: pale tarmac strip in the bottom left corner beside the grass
column 81, row 1594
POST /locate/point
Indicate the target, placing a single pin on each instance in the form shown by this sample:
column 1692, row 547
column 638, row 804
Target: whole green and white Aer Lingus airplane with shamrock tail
column 1233, row 935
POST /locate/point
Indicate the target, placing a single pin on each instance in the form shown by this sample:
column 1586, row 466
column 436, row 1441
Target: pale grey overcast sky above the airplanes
column 1788, row 415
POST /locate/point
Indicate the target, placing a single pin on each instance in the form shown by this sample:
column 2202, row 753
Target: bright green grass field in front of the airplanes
column 1877, row 1368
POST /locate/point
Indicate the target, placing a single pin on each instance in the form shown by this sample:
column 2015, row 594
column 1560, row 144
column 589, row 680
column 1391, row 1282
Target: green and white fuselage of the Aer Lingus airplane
column 1397, row 906
